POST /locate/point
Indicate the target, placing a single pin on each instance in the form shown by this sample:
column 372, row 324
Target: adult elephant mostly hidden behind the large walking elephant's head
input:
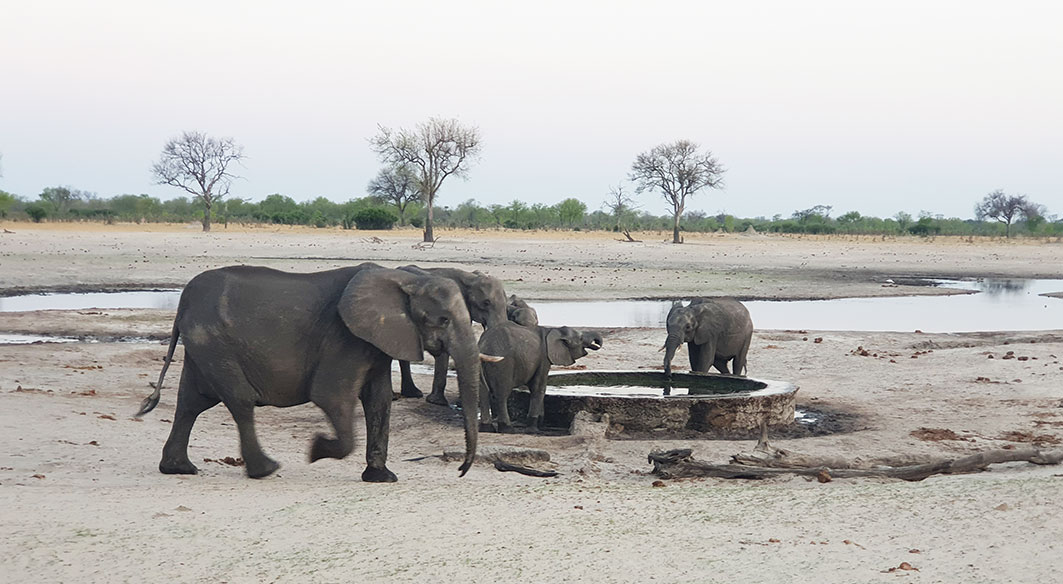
column 486, row 303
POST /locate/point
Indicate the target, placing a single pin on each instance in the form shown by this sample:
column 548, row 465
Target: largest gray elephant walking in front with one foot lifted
column 258, row 337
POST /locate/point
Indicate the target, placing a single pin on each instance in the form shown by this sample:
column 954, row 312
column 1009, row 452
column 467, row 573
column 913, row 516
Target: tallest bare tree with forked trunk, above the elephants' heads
column 434, row 151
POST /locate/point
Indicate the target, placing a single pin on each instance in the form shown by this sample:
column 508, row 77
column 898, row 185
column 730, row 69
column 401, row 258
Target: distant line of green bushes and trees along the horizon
column 65, row 205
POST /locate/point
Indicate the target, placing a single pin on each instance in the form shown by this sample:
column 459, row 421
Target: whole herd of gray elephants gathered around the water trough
column 259, row 337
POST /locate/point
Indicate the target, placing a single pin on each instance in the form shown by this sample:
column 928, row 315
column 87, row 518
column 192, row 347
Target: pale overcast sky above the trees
column 876, row 108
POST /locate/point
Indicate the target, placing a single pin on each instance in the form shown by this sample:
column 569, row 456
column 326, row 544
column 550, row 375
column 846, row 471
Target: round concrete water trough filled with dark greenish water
column 645, row 402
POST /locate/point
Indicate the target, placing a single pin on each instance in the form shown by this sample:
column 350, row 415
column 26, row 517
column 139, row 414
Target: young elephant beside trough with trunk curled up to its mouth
column 528, row 355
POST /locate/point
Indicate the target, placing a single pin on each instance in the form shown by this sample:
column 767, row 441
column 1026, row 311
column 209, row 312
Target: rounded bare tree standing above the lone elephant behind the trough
column 678, row 171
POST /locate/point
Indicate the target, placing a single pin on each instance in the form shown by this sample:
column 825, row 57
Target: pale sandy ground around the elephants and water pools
column 81, row 499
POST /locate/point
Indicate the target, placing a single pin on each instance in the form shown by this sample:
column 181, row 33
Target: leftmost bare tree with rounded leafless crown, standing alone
column 199, row 164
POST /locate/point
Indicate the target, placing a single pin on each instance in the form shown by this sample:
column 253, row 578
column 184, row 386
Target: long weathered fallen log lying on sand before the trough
column 681, row 464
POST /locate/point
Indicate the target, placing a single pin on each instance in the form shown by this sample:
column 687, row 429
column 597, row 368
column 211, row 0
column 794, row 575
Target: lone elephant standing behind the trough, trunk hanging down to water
column 716, row 332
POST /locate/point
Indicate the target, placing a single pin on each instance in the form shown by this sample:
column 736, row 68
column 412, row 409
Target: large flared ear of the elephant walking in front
column 376, row 308
